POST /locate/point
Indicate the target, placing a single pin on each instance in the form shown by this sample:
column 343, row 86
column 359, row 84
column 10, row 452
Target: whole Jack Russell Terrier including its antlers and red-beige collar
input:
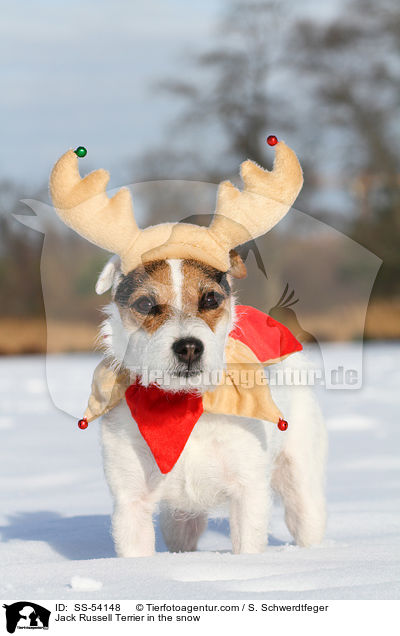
column 170, row 325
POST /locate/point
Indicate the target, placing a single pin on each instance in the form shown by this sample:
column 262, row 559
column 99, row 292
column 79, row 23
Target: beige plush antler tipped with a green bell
column 84, row 206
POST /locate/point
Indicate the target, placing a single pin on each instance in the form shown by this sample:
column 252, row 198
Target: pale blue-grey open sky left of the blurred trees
column 83, row 73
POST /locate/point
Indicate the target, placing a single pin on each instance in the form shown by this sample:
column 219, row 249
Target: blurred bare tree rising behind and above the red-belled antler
column 228, row 96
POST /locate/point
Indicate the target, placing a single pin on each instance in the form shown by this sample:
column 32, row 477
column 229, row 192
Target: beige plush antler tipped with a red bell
column 266, row 198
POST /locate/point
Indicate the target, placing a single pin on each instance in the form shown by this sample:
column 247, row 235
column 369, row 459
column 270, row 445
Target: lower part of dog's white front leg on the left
column 133, row 528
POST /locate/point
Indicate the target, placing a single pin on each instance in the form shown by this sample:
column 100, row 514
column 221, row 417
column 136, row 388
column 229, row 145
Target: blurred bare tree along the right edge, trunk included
column 352, row 67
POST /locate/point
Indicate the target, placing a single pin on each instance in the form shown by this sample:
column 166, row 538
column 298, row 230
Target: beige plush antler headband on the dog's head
column 239, row 216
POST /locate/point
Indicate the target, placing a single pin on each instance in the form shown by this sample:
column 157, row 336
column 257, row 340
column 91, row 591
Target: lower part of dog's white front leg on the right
column 249, row 516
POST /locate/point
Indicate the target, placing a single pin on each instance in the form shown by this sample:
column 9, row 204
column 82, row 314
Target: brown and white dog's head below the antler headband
column 169, row 320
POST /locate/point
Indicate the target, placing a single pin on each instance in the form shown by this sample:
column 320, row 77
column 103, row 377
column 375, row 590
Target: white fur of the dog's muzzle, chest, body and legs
column 227, row 460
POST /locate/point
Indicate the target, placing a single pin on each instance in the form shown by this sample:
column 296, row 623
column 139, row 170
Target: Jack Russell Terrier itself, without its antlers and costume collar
column 174, row 316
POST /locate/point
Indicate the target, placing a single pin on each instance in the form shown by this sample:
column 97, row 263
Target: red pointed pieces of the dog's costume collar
column 166, row 419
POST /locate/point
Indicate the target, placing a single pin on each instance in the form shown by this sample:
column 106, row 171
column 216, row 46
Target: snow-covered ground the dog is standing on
column 55, row 506
